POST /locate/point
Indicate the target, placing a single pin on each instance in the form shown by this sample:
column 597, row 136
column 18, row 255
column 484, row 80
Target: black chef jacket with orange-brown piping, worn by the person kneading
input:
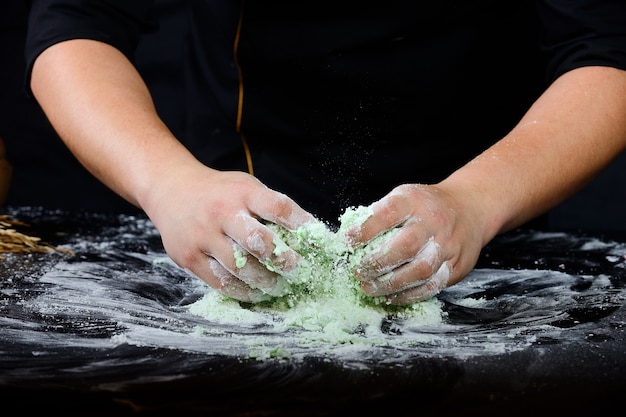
column 337, row 102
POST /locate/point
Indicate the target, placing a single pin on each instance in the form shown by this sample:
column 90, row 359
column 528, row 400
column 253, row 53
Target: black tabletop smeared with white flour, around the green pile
column 107, row 330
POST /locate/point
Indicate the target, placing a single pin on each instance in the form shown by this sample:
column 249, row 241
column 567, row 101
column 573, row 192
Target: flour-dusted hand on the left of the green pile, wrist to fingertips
column 211, row 223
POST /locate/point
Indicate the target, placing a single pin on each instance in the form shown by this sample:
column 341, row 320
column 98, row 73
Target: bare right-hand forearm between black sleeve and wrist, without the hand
column 566, row 138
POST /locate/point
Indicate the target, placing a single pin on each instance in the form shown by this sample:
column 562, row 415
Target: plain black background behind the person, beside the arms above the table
column 46, row 174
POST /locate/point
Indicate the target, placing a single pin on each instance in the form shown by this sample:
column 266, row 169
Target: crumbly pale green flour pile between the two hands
column 322, row 300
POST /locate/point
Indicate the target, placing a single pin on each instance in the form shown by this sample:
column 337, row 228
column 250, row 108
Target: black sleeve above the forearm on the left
column 119, row 23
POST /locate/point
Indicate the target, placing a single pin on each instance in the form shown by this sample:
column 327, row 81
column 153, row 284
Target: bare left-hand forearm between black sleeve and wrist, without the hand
column 101, row 108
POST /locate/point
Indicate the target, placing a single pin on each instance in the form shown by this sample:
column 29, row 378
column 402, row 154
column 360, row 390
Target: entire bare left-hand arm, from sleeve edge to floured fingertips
column 101, row 108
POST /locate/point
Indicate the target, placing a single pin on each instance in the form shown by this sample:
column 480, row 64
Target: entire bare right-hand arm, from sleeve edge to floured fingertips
column 570, row 133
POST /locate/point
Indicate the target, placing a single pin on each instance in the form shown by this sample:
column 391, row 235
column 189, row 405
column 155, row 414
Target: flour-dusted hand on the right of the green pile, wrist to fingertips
column 437, row 243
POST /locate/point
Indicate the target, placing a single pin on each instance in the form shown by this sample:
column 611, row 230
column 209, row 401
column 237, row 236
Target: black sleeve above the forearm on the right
column 581, row 33
